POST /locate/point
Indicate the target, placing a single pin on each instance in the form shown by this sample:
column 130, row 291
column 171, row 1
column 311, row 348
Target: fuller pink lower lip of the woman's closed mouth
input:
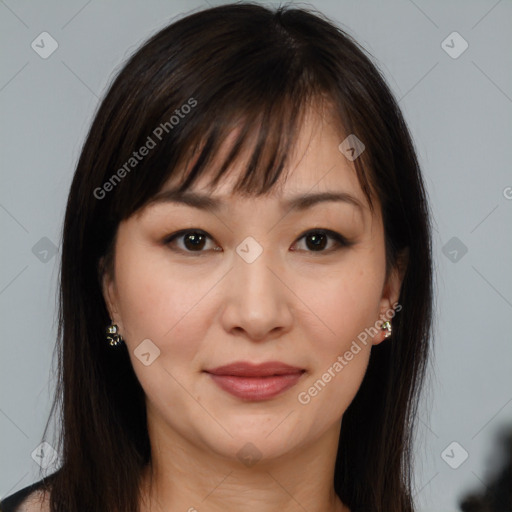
column 256, row 388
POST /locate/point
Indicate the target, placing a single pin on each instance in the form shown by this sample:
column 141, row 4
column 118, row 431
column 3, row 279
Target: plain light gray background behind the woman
column 459, row 111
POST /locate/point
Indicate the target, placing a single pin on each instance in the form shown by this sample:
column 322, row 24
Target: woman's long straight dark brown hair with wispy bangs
column 247, row 66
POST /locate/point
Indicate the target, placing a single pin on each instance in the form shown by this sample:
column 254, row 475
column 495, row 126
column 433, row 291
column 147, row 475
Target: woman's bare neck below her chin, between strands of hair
column 183, row 476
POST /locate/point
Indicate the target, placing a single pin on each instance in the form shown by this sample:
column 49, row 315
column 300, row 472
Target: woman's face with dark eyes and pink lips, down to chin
column 258, row 284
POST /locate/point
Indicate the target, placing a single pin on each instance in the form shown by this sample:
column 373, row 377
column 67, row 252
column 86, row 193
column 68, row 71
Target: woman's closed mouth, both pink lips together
column 256, row 382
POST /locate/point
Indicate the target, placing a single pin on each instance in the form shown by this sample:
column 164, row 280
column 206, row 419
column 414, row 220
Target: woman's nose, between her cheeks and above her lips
column 257, row 301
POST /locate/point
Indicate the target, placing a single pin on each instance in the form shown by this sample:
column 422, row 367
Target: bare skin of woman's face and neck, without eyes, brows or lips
column 291, row 304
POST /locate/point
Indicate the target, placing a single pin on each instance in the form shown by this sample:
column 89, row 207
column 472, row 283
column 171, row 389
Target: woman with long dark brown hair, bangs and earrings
column 249, row 223
